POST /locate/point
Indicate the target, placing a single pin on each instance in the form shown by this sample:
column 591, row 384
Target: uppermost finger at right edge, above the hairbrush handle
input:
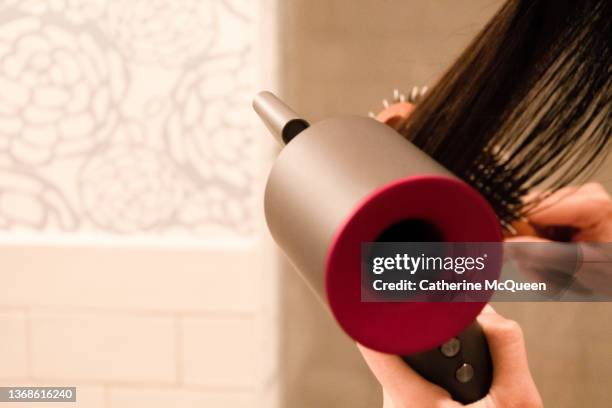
column 578, row 207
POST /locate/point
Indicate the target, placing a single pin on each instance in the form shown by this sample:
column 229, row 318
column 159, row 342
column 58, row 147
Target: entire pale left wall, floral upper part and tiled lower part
column 133, row 263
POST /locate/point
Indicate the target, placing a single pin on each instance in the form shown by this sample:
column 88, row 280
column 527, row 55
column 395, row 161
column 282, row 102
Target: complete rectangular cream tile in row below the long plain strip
column 105, row 347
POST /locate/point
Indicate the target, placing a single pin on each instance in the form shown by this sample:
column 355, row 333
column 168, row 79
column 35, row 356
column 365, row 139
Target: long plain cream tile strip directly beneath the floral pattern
column 222, row 280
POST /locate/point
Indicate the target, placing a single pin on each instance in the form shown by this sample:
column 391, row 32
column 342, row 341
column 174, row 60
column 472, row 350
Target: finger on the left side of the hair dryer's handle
column 398, row 379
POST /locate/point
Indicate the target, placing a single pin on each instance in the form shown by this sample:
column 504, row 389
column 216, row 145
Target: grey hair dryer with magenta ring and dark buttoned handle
column 348, row 180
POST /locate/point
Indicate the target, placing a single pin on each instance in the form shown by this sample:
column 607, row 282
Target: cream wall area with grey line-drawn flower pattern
column 127, row 117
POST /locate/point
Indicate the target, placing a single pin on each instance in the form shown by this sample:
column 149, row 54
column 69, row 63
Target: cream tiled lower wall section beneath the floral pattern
column 172, row 327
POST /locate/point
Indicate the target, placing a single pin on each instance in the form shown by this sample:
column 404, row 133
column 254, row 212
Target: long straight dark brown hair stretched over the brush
column 527, row 102
